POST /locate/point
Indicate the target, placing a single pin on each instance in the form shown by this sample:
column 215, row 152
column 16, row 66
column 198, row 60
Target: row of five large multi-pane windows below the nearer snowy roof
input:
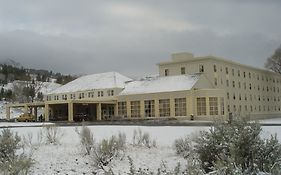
column 149, row 108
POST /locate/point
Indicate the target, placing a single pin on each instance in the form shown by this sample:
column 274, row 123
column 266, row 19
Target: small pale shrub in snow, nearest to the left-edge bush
column 52, row 134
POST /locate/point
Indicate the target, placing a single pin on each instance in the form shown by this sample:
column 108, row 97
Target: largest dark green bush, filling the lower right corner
column 237, row 148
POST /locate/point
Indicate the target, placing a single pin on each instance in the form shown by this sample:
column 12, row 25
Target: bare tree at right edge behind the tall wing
column 274, row 62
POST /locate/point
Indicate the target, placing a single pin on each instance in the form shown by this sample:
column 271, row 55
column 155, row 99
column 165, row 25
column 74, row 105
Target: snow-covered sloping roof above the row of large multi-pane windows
column 161, row 84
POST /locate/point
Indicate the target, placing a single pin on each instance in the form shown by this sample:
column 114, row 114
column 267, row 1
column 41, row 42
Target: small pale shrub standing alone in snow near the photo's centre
column 143, row 139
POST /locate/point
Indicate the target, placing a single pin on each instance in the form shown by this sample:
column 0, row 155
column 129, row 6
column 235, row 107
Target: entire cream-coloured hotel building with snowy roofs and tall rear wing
column 187, row 87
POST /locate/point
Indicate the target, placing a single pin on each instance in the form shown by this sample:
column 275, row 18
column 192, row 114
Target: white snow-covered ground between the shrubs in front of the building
column 68, row 157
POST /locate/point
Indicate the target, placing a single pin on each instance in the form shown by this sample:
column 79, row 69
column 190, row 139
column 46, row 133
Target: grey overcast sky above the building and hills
column 90, row 36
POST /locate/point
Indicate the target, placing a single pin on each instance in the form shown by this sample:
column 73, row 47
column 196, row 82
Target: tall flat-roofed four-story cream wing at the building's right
column 249, row 90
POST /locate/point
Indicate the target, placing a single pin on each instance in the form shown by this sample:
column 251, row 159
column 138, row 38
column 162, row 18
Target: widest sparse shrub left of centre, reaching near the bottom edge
column 107, row 150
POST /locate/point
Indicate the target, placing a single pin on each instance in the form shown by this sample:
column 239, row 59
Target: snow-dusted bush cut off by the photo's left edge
column 13, row 161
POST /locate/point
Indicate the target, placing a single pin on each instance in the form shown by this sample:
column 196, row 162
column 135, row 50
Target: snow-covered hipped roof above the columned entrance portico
column 94, row 81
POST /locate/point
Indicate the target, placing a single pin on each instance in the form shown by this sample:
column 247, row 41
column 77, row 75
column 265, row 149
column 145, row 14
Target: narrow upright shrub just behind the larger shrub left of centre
column 86, row 138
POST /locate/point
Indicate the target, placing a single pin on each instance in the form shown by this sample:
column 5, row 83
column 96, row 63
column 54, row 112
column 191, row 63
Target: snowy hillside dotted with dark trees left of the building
column 20, row 84
